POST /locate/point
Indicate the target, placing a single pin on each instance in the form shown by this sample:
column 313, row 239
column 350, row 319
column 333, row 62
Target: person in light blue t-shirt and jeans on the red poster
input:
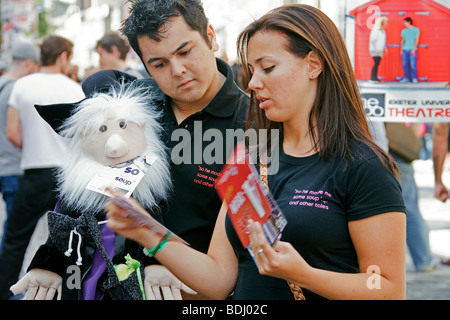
column 410, row 40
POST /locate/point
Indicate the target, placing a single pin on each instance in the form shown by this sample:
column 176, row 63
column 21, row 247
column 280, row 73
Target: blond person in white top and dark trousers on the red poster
column 377, row 45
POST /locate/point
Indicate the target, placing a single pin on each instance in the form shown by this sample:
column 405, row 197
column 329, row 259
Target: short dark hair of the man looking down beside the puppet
column 150, row 17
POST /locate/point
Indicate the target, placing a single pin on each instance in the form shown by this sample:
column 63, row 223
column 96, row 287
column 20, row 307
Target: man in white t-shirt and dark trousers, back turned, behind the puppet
column 42, row 150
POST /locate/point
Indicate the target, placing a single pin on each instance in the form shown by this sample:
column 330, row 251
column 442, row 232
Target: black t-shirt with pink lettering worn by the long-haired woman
column 318, row 200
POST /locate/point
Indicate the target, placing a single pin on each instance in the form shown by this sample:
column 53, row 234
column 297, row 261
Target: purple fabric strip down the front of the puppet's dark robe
column 90, row 291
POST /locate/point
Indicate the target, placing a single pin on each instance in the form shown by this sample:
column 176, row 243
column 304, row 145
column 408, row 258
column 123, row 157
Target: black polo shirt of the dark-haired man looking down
column 198, row 150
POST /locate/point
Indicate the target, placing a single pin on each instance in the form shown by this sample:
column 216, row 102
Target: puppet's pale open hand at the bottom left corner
column 40, row 285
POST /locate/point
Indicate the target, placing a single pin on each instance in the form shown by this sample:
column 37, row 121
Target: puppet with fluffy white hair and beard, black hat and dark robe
column 112, row 135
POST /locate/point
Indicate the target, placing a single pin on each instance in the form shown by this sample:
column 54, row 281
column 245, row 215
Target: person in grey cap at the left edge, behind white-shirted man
column 26, row 59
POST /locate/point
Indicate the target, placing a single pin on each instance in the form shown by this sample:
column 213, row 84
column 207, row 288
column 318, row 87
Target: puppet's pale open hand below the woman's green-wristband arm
column 160, row 280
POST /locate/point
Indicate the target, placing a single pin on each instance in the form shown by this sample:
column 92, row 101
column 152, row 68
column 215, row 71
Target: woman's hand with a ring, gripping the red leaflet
column 283, row 261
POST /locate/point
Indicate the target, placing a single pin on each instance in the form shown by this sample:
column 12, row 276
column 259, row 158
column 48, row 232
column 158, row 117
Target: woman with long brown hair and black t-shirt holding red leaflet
column 347, row 243
